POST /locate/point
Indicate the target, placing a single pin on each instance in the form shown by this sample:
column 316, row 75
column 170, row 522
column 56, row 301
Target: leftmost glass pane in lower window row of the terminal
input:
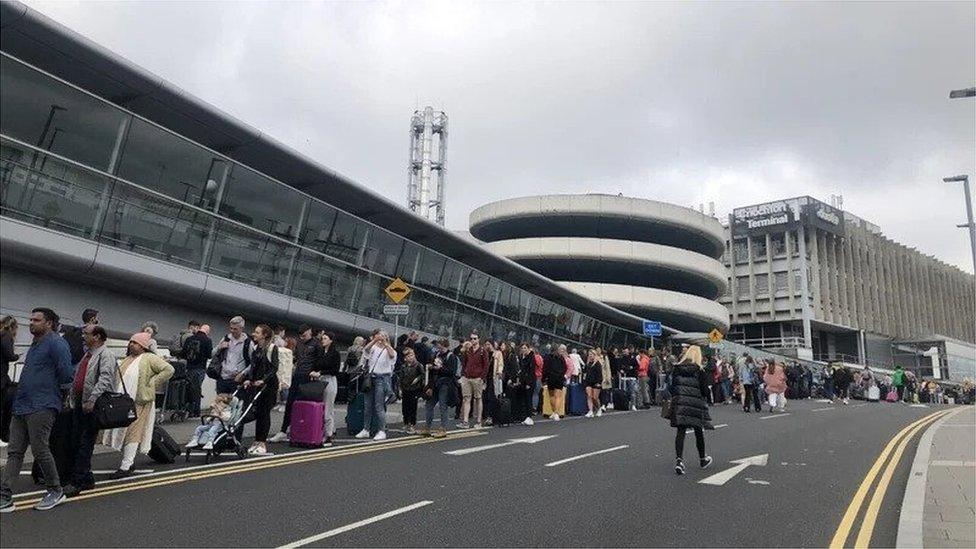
column 48, row 192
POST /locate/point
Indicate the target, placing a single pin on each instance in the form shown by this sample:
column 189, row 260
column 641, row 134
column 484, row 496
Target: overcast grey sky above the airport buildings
column 686, row 102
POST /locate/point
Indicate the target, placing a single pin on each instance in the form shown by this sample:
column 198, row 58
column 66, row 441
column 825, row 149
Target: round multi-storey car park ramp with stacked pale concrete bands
column 650, row 258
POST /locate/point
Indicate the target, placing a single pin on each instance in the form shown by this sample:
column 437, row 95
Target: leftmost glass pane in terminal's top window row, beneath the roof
column 43, row 112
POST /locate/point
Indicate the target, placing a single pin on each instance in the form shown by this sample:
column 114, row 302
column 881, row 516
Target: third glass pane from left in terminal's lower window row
column 243, row 255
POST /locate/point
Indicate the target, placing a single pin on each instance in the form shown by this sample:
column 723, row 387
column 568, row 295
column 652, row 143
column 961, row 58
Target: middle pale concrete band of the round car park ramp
column 606, row 249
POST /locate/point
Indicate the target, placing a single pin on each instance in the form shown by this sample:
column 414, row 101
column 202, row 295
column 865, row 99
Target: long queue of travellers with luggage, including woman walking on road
column 67, row 370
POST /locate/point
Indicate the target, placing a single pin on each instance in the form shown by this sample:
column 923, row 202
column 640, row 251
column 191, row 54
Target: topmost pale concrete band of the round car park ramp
column 599, row 206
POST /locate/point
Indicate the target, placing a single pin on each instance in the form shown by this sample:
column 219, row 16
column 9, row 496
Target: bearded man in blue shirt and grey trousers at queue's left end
column 38, row 401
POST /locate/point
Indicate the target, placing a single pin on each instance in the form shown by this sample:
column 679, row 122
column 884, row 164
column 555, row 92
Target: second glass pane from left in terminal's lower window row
column 147, row 224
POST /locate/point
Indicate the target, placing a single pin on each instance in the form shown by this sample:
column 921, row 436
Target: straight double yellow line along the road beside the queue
column 245, row 466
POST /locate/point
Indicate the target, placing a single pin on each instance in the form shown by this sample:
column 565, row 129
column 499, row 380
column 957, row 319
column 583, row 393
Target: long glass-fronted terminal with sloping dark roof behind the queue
column 122, row 192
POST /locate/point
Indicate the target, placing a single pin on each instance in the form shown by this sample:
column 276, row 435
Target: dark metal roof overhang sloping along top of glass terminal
column 44, row 43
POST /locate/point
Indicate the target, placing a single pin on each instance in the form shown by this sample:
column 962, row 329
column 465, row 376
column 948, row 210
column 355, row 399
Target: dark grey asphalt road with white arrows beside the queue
column 818, row 455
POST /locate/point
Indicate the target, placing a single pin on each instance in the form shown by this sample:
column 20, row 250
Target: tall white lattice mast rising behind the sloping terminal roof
column 428, row 153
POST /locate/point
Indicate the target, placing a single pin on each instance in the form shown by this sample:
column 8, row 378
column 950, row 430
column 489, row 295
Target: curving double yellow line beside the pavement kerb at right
column 894, row 450
